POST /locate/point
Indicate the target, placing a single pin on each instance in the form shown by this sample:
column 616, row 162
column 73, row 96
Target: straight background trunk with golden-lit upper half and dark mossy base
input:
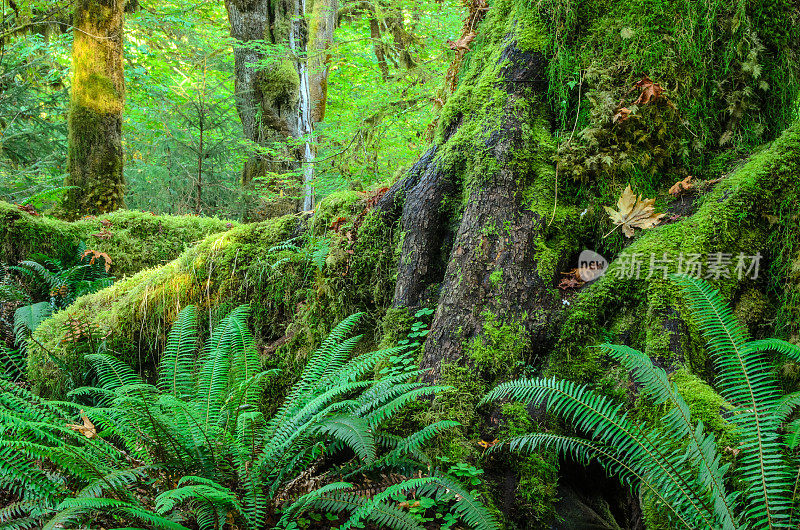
column 95, row 116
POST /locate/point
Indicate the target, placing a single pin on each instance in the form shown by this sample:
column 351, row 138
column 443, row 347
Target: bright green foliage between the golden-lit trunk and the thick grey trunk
column 184, row 141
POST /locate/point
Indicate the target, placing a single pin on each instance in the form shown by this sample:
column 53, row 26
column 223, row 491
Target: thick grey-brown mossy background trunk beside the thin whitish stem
column 268, row 98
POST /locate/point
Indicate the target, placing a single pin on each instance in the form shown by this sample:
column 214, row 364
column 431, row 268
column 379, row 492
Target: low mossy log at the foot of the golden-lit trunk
column 134, row 240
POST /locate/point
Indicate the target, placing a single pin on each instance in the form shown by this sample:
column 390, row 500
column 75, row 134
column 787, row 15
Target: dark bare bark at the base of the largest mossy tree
column 491, row 264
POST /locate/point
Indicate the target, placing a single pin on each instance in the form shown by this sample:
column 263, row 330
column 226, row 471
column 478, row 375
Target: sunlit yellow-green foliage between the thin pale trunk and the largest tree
column 378, row 112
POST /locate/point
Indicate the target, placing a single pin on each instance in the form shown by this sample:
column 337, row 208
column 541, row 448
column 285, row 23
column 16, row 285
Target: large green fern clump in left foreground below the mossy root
column 202, row 423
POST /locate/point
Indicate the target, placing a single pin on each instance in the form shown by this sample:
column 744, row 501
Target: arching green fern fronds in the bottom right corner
column 674, row 459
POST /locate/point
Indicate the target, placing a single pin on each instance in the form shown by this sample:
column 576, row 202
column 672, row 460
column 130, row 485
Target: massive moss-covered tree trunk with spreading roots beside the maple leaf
column 489, row 224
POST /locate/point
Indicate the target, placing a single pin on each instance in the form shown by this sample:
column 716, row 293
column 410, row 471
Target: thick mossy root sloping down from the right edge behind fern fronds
column 730, row 219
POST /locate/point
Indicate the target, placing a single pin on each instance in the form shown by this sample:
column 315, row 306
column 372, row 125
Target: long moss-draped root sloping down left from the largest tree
column 295, row 298
